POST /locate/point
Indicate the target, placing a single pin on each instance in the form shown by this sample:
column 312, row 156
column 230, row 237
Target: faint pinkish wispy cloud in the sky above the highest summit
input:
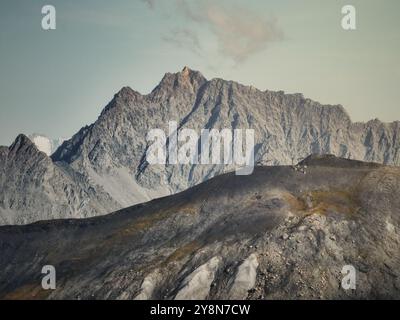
column 239, row 31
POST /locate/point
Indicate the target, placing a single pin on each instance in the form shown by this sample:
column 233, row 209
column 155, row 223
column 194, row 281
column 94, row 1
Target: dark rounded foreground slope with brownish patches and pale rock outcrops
column 280, row 233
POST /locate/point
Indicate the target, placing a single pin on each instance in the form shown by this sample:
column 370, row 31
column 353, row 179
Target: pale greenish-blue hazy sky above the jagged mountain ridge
column 56, row 81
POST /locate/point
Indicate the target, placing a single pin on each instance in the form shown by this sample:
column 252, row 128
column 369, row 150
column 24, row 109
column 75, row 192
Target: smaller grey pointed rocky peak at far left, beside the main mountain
column 33, row 188
